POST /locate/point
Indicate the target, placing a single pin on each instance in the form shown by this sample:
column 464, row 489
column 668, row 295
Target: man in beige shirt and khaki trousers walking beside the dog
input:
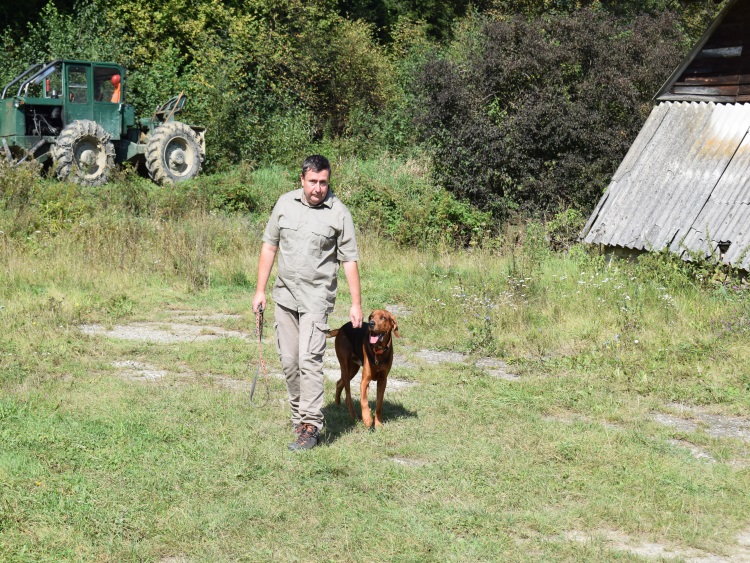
column 314, row 232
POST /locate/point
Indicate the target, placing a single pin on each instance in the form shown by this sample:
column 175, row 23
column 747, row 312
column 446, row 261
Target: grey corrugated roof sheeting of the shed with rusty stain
column 684, row 185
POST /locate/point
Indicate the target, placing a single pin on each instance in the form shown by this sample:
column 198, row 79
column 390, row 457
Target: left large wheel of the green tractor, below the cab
column 84, row 153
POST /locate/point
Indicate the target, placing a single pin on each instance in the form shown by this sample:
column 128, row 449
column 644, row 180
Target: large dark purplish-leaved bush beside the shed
column 536, row 115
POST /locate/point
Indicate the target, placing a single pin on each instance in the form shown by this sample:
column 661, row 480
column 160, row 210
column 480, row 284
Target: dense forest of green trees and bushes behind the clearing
column 520, row 107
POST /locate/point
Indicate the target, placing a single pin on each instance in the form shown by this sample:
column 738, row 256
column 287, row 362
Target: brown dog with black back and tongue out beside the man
column 372, row 348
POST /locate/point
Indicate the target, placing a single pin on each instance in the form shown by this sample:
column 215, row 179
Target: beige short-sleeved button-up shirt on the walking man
column 311, row 241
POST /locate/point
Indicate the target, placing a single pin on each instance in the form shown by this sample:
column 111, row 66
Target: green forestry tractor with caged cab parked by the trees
column 73, row 115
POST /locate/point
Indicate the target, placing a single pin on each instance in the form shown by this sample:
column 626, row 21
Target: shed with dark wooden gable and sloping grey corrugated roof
column 684, row 185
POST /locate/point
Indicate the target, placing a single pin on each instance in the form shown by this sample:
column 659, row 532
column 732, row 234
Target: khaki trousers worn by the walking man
column 301, row 342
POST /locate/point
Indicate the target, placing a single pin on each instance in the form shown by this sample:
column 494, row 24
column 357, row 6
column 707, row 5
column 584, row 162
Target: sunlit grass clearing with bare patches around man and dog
column 97, row 467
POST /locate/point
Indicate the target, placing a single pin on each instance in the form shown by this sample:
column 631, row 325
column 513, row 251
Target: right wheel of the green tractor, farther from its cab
column 173, row 153
